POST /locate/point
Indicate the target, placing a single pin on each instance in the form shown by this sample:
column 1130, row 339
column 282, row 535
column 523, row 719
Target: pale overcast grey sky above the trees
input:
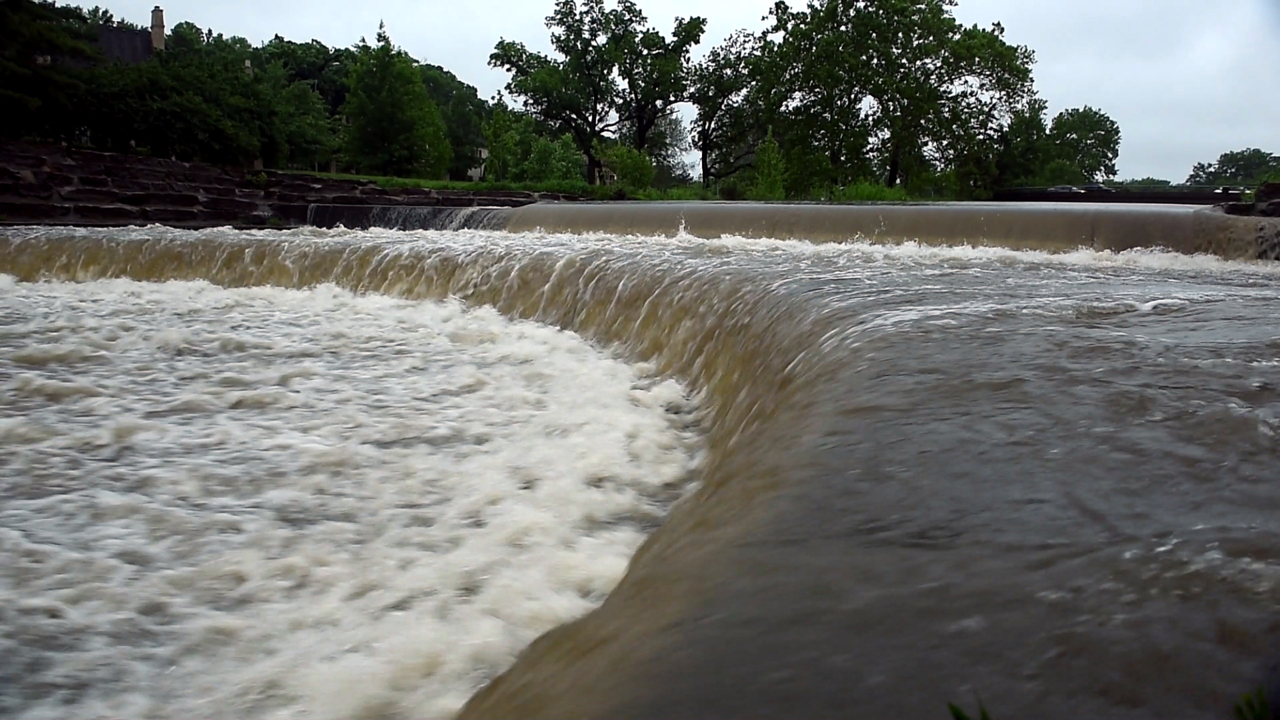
column 1187, row 80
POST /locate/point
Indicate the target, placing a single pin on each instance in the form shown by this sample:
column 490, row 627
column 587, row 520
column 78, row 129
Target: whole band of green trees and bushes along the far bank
column 836, row 101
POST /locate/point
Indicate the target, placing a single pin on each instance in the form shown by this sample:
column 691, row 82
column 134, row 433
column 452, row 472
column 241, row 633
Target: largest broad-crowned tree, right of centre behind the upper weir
column 898, row 80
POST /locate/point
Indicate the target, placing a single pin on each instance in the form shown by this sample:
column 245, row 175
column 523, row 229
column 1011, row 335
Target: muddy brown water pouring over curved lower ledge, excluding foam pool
column 931, row 475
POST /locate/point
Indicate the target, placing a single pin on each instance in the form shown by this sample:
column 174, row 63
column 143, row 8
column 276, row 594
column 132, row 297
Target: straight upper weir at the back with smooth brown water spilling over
column 1023, row 226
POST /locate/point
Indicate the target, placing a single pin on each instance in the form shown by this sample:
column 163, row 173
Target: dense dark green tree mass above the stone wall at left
column 369, row 108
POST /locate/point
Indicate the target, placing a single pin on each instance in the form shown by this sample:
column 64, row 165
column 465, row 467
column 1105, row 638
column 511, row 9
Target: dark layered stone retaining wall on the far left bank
column 51, row 185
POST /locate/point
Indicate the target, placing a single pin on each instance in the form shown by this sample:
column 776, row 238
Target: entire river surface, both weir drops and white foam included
column 577, row 461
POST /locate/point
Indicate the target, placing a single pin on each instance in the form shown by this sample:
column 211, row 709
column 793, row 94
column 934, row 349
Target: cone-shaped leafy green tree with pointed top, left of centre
column 395, row 129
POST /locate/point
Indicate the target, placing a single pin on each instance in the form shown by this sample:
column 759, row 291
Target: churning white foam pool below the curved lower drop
column 284, row 504
